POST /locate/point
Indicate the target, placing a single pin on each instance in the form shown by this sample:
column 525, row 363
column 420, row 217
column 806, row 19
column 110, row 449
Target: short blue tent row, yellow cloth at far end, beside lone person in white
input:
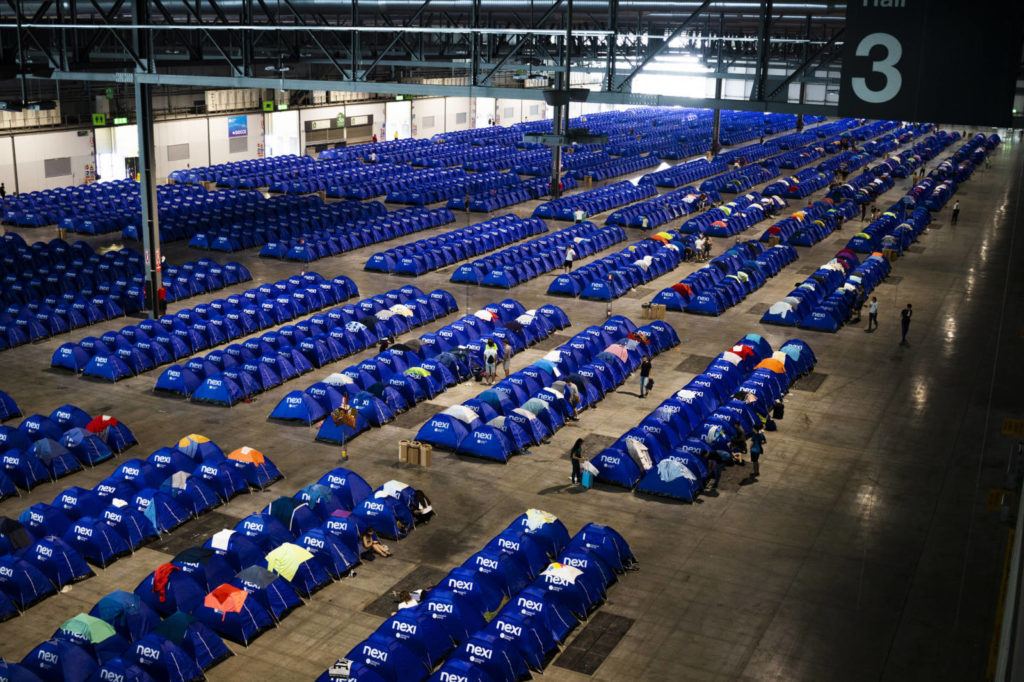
column 614, row 276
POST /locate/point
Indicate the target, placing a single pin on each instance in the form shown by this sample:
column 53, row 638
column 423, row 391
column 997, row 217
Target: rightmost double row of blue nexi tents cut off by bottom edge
column 500, row 616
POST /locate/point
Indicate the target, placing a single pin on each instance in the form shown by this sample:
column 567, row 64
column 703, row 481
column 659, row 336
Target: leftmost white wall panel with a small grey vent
column 34, row 149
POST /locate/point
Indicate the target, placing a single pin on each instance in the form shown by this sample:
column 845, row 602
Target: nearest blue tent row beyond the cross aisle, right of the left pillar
column 358, row 234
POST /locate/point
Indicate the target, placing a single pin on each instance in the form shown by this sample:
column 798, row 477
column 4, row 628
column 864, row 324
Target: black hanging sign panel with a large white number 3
column 936, row 61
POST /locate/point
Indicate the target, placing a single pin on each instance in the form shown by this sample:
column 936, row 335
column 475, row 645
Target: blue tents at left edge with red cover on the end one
column 45, row 449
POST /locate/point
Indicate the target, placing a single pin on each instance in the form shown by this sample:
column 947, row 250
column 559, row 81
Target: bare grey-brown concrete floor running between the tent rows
column 872, row 547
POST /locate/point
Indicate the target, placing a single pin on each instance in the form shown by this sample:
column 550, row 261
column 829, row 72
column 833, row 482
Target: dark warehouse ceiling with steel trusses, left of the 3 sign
column 67, row 49
